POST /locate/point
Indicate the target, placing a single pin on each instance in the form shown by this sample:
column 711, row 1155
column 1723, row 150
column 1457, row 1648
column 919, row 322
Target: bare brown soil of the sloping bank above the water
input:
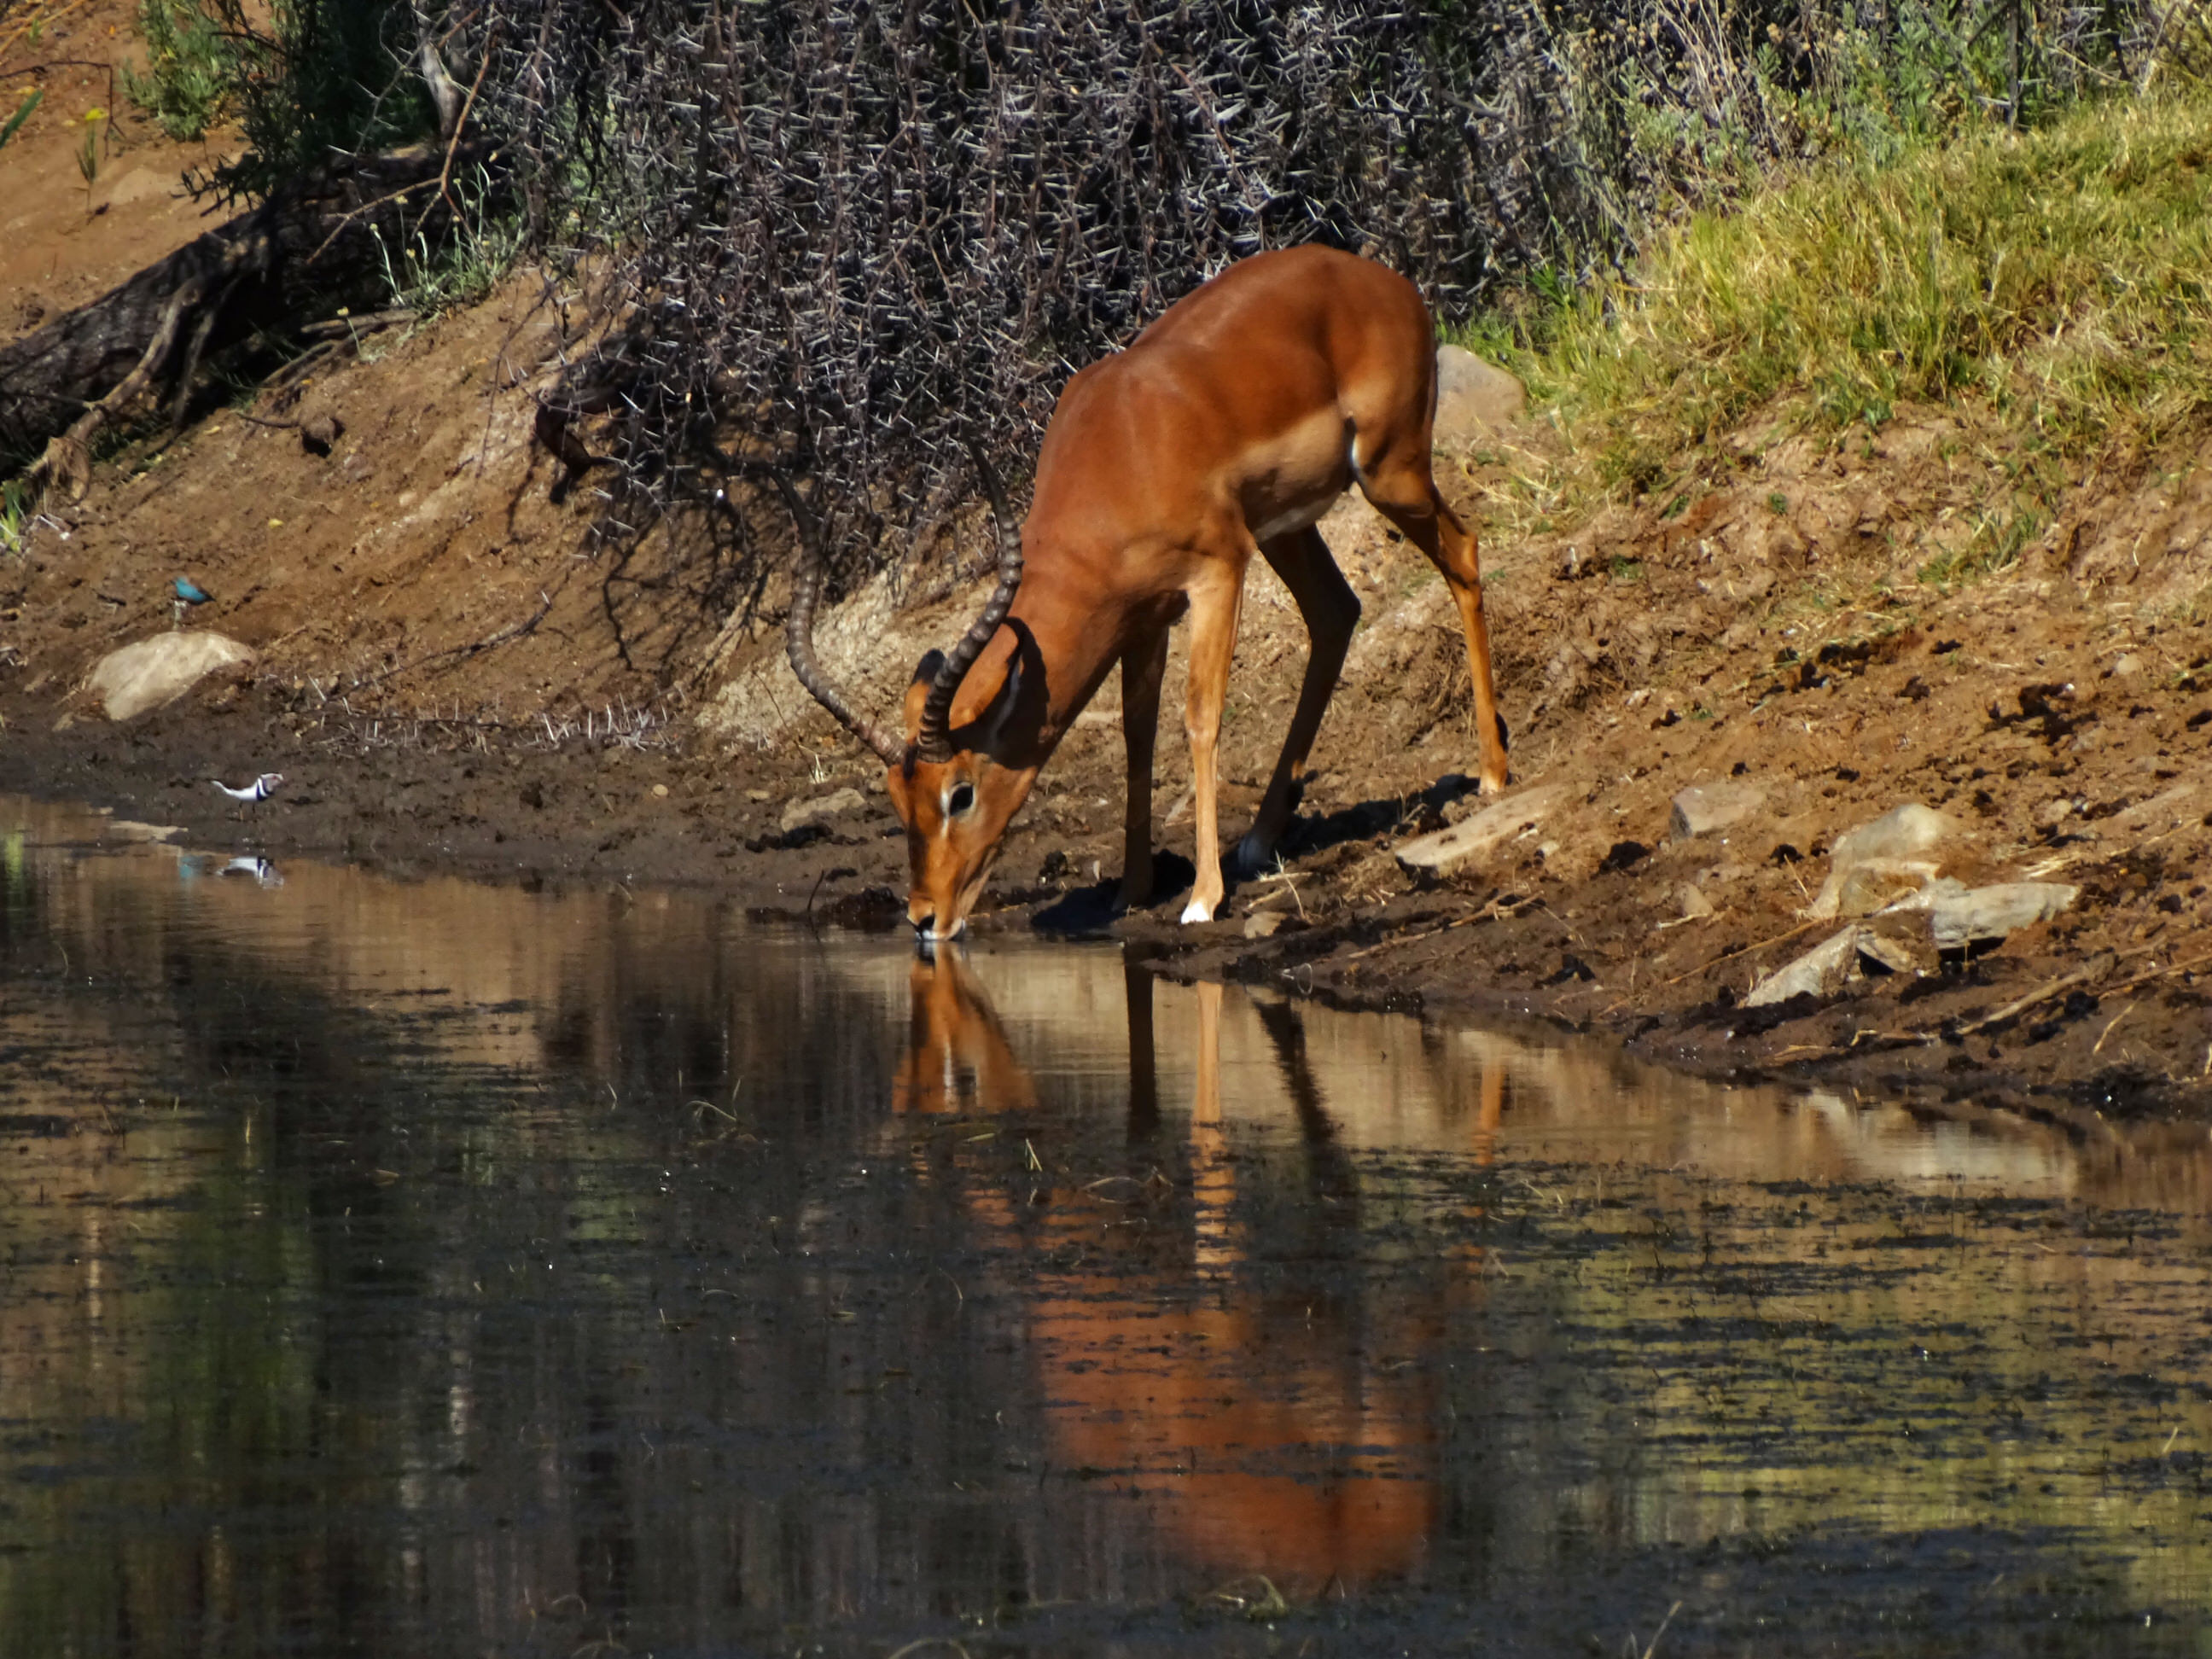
column 455, row 674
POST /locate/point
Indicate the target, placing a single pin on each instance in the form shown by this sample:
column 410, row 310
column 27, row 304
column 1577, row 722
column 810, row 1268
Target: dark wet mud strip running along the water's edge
column 508, row 806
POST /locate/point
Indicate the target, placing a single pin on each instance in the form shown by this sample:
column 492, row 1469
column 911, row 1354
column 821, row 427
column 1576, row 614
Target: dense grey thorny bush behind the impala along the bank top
column 857, row 238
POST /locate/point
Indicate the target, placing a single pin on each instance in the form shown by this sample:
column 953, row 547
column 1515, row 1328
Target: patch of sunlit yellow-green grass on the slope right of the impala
column 2060, row 282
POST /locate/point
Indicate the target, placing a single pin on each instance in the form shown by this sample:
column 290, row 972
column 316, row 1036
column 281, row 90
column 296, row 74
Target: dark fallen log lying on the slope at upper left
column 295, row 260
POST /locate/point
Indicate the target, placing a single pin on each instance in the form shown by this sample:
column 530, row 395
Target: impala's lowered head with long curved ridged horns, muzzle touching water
column 948, row 786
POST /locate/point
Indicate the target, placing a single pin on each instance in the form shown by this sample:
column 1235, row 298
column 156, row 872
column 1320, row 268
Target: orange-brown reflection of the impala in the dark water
column 1271, row 1404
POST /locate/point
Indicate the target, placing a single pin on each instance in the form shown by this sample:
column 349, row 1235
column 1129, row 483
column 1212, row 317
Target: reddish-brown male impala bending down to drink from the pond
column 1227, row 430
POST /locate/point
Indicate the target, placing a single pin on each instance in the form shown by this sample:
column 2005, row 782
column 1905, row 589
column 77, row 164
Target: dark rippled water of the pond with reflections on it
column 459, row 1271
